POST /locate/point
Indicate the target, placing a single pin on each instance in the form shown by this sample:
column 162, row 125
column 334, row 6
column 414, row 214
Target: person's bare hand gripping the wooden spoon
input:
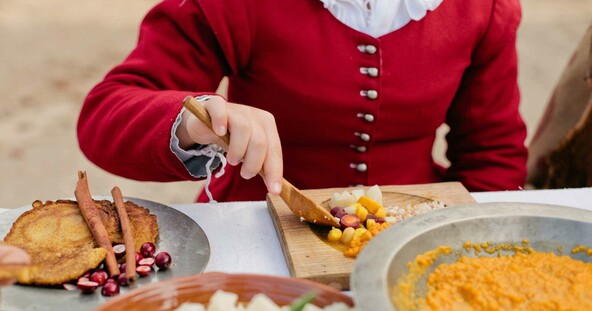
column 254, row 139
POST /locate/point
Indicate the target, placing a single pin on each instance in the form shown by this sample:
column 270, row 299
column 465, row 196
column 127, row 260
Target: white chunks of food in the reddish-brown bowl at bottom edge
column 227, row 301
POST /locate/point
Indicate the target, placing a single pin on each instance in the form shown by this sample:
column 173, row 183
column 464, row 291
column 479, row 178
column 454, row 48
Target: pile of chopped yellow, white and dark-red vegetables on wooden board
column 362, row 216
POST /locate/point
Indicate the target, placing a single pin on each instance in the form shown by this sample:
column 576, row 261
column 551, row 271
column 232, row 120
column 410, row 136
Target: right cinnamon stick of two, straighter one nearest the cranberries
column 128, row 237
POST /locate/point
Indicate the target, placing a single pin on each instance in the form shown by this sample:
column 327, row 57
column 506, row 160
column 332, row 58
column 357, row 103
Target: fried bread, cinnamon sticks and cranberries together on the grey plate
column 62, row 237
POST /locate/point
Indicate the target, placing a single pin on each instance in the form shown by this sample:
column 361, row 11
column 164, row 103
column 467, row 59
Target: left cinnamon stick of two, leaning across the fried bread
column 93, row 220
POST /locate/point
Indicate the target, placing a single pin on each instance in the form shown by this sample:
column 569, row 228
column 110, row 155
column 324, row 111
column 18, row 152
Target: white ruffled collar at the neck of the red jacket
column 379, row 17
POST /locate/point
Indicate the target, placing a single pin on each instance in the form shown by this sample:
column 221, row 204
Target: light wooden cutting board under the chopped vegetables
column 310, row 257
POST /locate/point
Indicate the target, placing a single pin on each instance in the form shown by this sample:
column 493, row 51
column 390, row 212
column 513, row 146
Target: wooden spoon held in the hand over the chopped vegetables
column 300, row 204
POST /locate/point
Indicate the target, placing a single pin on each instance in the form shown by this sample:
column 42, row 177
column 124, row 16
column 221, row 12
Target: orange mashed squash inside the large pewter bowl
column 526, row 280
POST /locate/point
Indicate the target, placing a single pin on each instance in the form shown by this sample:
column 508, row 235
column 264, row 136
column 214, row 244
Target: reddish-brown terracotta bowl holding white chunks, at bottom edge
column 169, row 294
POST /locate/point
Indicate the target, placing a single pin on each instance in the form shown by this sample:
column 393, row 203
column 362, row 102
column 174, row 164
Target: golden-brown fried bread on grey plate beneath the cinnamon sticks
column 61, row 246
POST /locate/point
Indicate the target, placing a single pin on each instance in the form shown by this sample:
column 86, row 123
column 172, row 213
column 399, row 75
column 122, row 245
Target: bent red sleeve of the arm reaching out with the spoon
column 125, row 123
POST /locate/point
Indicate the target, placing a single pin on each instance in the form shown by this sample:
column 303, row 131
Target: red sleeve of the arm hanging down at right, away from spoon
column 486, row 139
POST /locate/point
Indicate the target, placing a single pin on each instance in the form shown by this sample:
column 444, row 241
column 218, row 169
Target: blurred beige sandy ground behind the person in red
column 53, row 52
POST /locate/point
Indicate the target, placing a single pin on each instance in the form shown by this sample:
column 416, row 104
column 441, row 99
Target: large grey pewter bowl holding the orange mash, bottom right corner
column 548, row 228
